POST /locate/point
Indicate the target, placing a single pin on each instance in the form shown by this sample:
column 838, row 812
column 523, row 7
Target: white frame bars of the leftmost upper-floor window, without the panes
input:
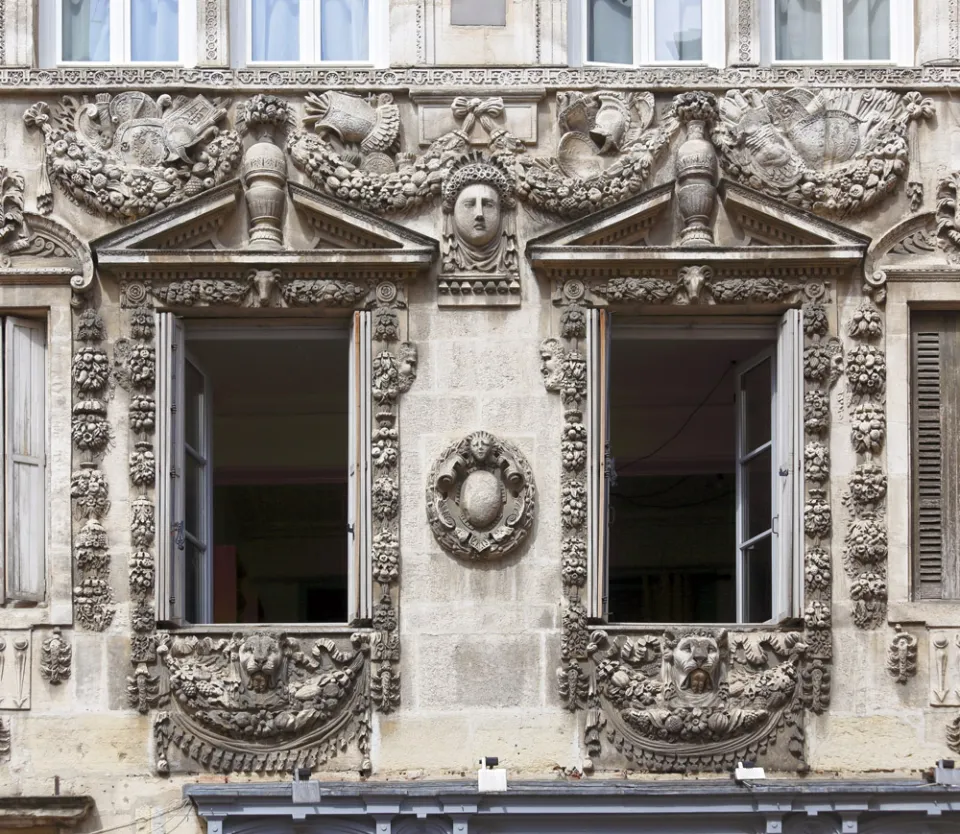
column 120, row 46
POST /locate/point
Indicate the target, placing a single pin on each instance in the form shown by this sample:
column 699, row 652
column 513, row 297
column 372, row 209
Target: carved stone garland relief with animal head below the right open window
column 697, row 699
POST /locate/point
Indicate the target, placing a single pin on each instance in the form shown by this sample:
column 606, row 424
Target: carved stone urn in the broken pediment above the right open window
column 696, row 170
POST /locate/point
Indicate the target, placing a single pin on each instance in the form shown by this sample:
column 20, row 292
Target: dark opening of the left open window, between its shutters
column 263, row 458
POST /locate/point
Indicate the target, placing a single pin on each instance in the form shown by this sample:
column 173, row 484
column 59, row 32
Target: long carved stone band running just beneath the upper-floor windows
column 59, row 80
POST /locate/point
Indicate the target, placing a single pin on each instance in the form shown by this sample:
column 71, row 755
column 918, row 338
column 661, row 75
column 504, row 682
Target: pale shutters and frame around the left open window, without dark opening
column 171, row 356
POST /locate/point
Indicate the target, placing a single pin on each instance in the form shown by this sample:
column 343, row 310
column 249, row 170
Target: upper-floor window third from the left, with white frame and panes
column 653, row 31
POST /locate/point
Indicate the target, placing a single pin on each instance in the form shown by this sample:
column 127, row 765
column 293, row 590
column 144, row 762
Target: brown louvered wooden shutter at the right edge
column 936, row 455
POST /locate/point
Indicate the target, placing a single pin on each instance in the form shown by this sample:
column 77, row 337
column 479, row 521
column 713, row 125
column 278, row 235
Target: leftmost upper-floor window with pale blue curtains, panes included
column 124, row 31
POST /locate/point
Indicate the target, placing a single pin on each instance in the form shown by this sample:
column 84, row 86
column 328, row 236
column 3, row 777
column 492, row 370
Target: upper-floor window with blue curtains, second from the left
column 309, row 31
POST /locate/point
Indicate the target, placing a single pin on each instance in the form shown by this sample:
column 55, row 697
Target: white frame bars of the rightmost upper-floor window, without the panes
column 901, row 36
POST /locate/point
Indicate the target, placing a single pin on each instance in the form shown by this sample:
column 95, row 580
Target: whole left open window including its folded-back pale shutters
column 275, row 550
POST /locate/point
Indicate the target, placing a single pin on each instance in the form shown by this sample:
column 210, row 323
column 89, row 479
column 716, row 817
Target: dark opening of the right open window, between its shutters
column 692, row 508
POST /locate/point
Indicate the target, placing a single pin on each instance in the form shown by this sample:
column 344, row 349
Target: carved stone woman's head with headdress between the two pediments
column 480, row 256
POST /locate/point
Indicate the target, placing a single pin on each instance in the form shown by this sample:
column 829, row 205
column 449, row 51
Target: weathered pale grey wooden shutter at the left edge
column 25, row 505
